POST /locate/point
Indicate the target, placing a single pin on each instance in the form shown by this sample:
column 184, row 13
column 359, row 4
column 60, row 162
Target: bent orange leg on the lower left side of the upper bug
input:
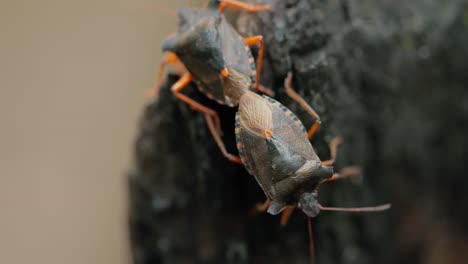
column 181, row 84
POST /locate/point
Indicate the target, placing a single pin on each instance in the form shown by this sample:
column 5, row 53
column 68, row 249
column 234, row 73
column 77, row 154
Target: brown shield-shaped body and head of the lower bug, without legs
column 274, row 148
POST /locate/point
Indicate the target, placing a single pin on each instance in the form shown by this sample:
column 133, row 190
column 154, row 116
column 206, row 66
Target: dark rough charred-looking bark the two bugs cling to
column 390, row 77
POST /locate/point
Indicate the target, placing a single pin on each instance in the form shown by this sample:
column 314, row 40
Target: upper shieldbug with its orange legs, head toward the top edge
column 211, row 50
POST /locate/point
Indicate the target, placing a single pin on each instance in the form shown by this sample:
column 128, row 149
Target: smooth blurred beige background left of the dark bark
column 72, row 82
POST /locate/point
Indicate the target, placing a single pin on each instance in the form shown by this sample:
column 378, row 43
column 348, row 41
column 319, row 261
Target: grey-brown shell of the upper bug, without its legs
column 206, row 43
